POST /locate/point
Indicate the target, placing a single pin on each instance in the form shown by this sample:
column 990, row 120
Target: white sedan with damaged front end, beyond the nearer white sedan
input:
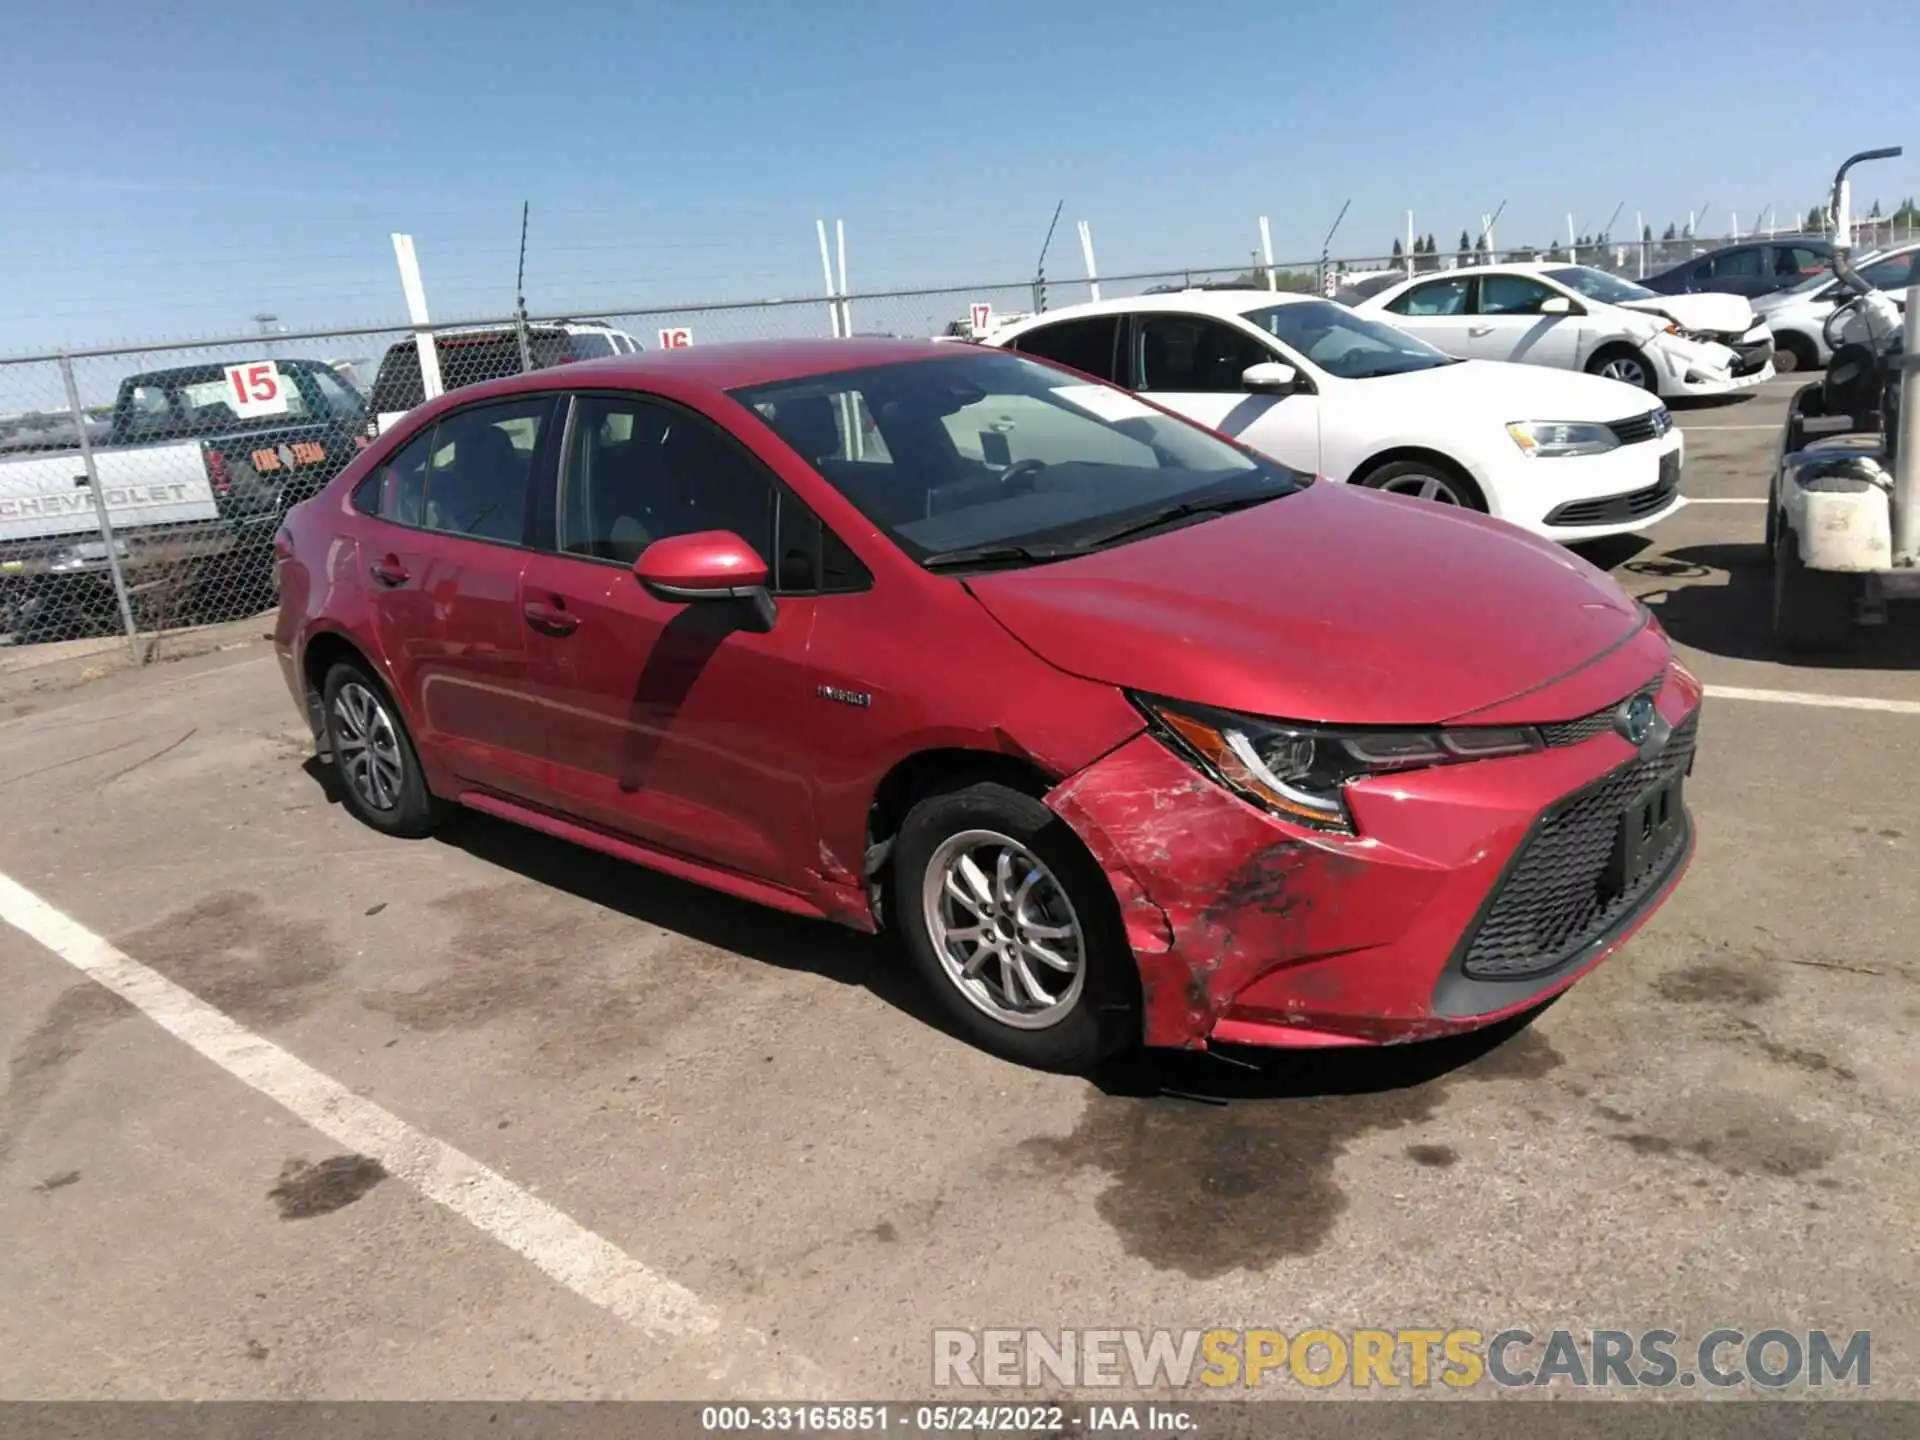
column 1575, row 318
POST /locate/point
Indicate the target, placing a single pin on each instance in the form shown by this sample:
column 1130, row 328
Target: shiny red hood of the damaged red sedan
column 1333, row 606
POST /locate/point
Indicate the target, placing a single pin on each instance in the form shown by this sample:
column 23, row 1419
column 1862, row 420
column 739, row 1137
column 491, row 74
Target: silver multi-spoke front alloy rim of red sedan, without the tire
column 1005, row 930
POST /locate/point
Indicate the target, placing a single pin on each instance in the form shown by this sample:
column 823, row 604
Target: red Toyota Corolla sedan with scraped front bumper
column 1130, row 734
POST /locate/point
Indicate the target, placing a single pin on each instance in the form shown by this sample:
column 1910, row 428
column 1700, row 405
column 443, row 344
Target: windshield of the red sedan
column 994, row 450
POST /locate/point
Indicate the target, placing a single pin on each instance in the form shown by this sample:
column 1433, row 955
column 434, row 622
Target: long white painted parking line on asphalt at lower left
column 587, row 1264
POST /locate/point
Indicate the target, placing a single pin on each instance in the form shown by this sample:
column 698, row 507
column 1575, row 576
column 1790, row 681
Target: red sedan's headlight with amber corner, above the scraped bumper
column 1301, row 773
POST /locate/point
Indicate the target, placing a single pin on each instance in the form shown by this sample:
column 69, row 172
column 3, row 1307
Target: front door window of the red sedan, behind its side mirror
column 640, row 471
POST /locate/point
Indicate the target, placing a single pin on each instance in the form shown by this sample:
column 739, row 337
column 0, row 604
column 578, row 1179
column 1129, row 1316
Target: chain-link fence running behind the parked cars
column 143, row 487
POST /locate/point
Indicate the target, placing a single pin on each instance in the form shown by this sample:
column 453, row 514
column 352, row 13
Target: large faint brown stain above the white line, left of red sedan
column 239, row 957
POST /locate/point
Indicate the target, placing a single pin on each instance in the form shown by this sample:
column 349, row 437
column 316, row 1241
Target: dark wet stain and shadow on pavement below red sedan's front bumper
column 1216, row 1168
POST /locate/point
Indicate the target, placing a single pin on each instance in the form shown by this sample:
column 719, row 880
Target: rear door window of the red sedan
column 481, row 469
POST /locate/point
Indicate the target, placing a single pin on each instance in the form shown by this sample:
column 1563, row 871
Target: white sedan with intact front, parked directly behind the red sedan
column 1324, row 389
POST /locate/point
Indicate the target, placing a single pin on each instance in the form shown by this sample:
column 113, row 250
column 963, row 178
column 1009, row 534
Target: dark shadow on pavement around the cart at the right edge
column 1733, row 619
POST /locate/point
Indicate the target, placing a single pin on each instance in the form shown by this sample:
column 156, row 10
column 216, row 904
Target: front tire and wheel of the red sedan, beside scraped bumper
column 1015, row 928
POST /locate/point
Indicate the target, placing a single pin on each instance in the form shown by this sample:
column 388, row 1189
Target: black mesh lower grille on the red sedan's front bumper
column 1558, row 896
